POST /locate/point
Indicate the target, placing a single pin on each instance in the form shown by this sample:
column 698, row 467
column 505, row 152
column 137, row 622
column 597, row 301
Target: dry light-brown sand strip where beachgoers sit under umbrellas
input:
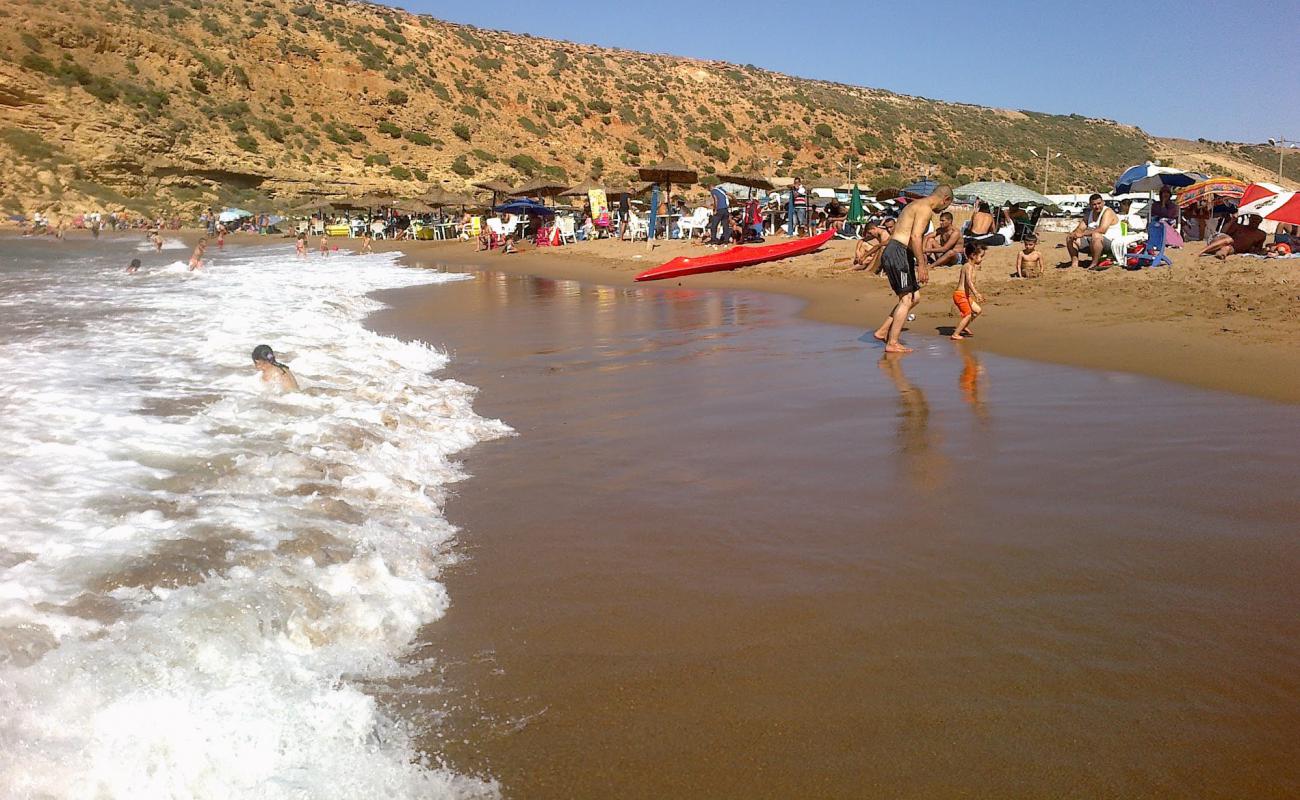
column 1217, row 326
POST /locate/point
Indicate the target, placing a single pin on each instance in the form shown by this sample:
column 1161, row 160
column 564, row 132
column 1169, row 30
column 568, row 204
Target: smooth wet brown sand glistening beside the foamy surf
column 733, row 553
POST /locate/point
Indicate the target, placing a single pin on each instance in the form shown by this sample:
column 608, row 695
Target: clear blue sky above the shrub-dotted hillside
column 1220, row 71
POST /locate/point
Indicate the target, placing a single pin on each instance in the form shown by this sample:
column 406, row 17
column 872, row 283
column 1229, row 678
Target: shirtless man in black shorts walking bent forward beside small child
column 904, row 262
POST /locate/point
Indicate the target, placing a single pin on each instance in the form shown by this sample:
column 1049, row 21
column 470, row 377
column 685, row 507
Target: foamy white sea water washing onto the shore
column 206, row 585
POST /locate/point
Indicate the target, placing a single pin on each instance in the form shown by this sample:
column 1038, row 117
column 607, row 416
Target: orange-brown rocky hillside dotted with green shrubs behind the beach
column 174, row 103
